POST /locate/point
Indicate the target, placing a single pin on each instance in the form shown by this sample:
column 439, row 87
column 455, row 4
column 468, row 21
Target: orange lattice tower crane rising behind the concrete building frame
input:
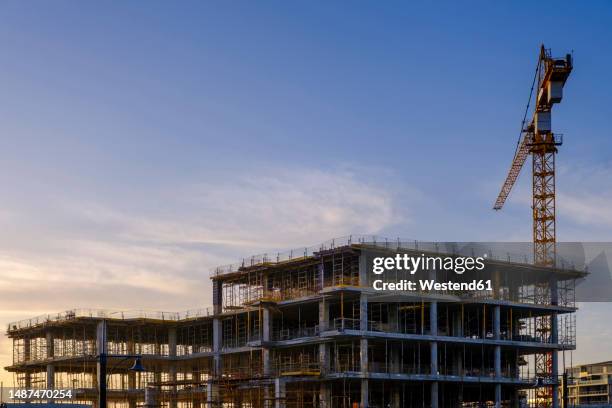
column 536, row 138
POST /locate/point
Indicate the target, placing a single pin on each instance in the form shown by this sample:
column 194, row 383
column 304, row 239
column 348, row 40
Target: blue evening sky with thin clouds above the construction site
column 147, row 142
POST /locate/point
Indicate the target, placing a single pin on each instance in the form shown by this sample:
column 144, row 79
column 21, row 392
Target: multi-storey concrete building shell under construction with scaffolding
column 307, row 329
